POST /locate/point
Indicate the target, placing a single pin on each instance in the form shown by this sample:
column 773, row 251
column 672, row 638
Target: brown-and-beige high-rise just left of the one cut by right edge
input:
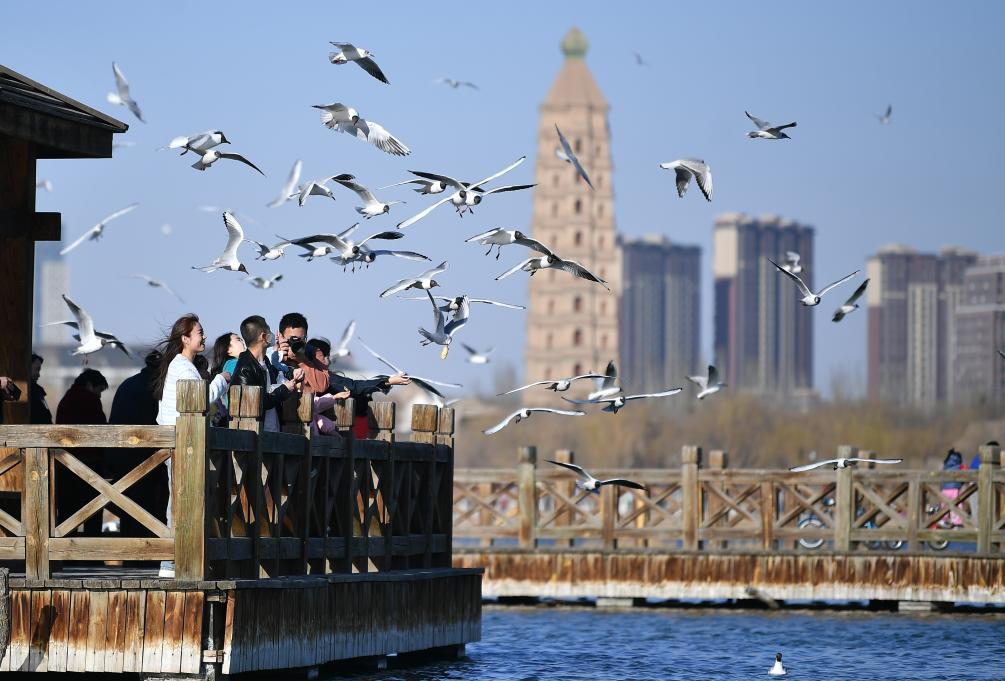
column 913, row 300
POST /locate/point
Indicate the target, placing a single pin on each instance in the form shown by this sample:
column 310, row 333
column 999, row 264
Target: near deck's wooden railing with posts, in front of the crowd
column 246, row 504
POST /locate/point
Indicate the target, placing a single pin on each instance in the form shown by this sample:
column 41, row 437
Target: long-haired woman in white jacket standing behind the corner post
column 185, row 342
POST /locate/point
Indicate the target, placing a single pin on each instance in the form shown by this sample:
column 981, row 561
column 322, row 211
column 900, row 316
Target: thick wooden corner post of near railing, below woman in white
column 188, row 488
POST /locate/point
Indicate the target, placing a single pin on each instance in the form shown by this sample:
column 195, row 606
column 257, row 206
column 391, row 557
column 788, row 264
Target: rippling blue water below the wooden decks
column 579, row 643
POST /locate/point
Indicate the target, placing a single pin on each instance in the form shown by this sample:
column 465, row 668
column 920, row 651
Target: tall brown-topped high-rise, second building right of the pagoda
column 763, row 336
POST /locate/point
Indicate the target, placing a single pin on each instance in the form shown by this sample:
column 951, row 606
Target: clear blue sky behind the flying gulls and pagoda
column 931, row 178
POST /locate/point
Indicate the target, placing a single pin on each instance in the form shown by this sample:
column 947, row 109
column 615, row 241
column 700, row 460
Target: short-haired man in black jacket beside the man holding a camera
column 255, row 370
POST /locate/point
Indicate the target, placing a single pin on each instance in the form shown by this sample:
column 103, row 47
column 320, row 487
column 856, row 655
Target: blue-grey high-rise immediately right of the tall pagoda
column 660, row 332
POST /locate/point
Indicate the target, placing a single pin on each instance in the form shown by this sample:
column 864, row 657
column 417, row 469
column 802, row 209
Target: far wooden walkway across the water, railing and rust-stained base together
column 711, row 533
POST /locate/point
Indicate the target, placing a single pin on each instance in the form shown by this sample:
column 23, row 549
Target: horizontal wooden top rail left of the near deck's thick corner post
column 60, row 437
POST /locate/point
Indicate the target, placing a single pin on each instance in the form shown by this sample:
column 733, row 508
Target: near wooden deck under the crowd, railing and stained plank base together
column 290, row 552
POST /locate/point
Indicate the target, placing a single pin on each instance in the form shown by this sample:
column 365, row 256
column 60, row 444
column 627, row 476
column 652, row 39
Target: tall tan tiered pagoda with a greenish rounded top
column 572, row 324
